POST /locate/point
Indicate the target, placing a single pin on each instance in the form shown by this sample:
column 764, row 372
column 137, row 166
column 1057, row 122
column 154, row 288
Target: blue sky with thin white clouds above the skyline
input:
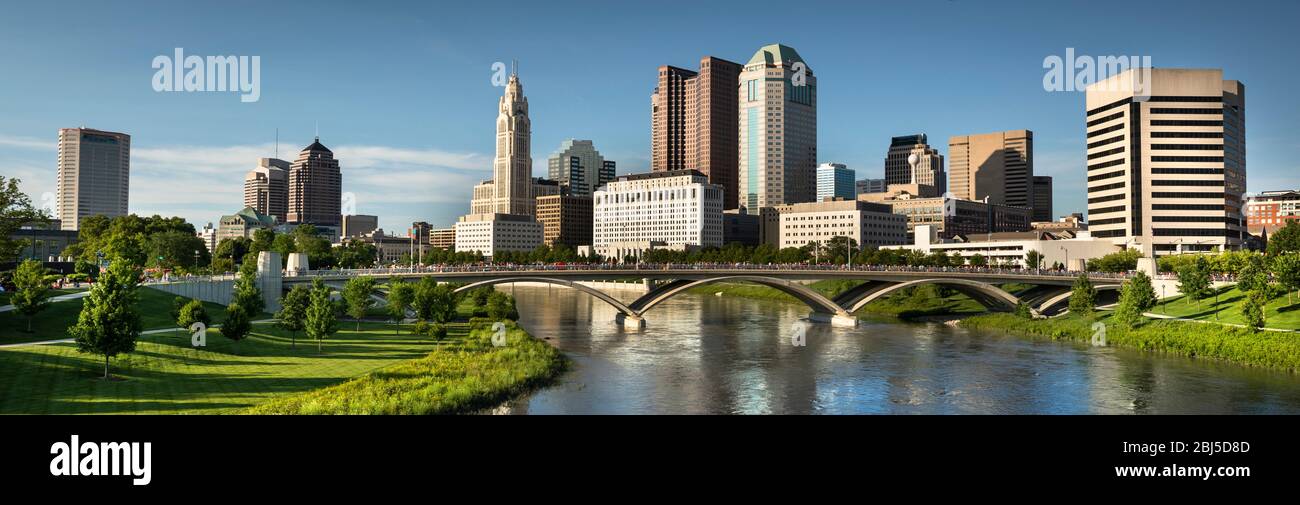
column 402, row 92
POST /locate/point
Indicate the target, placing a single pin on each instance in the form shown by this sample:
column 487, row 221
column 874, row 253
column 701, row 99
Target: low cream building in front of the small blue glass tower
column 870, row 225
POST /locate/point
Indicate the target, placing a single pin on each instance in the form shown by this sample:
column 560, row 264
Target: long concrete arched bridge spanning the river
column 1047, row 292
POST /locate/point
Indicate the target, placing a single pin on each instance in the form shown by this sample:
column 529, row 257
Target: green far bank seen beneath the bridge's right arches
column 918, row 303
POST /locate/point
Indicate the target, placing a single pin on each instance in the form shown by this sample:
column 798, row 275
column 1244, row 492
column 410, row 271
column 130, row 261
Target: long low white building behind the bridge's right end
column 1009, row 248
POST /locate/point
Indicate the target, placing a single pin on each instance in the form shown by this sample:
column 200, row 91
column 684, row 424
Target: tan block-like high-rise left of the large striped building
column 996, row 166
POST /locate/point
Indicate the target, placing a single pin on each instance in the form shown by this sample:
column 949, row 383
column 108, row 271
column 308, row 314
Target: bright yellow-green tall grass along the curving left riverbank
column 463, row 375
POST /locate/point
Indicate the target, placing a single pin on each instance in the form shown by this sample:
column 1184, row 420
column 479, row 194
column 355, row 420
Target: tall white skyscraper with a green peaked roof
column 778, row 130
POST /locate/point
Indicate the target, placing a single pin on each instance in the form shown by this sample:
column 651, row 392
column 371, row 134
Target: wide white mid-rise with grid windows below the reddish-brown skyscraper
column 674, row 209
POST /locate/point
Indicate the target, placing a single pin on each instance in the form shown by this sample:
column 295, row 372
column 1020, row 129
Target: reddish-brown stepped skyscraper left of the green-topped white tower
column 694, row 123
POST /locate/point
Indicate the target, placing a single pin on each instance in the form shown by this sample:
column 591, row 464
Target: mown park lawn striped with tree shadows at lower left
column 164, row 375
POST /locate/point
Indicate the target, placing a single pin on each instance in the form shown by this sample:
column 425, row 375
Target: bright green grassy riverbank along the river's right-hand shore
column 1193, row 340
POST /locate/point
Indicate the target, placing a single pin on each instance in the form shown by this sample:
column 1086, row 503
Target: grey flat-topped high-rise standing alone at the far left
column 94, row 175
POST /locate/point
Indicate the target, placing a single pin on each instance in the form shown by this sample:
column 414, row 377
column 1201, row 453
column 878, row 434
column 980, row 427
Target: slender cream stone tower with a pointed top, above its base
column 513, row 169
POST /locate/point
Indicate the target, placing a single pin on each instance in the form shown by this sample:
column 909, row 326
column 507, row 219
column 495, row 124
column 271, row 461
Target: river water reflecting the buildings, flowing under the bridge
column 707, row 355
